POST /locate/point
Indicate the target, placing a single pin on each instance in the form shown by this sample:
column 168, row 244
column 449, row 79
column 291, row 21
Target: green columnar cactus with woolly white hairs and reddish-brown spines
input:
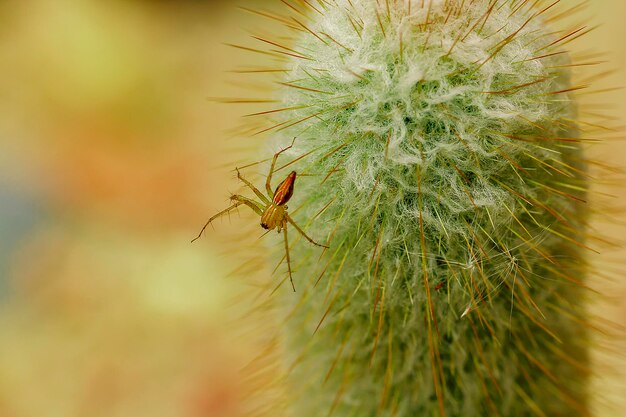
column 441, row 157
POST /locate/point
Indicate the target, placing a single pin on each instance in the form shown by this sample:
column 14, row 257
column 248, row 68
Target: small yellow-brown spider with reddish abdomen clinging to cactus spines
column 272, row 209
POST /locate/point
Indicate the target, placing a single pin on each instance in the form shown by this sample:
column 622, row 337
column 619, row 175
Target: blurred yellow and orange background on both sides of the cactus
column 112, row 155
